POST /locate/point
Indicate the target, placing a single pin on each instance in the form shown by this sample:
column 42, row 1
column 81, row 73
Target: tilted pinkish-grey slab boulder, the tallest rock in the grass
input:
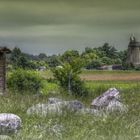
column 109, row 101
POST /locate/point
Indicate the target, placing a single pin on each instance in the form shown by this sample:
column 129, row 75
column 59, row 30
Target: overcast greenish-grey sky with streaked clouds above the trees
column 54, row 26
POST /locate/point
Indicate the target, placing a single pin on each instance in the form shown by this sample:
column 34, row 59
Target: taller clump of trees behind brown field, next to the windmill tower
column 104, row 55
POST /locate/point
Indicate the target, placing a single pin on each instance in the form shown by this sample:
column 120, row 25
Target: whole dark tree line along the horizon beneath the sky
column 91, row 58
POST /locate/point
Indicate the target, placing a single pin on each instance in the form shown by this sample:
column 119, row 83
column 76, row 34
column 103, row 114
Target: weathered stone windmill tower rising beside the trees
column 133, row 54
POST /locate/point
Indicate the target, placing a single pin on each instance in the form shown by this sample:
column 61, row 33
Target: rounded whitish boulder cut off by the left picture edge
column 9, row 123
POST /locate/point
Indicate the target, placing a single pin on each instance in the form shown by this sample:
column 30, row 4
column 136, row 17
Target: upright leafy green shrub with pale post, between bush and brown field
column 67, row 75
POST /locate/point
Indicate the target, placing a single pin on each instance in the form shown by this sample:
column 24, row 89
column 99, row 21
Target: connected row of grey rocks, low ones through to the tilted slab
column 108, row 101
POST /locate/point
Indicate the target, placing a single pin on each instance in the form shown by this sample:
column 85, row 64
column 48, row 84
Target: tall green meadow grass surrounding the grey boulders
column 124, row 126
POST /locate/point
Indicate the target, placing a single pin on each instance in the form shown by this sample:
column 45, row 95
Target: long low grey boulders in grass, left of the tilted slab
column 55, row 106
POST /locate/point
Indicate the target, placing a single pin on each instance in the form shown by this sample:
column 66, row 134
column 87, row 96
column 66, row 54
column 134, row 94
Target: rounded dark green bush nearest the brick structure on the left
column 24, row 81
